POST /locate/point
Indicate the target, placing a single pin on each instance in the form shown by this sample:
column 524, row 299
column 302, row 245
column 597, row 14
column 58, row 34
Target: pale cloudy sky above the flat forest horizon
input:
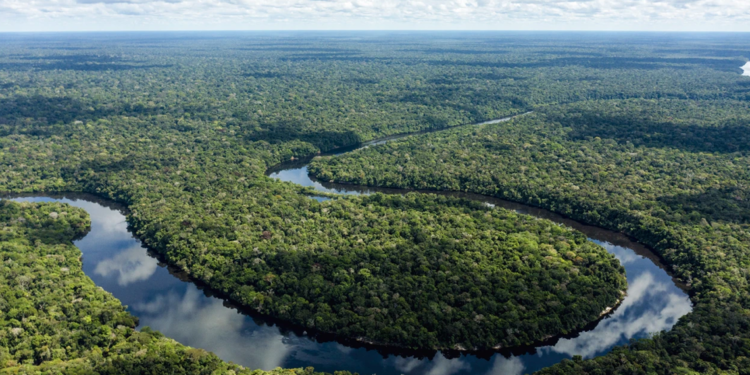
column 121, row 15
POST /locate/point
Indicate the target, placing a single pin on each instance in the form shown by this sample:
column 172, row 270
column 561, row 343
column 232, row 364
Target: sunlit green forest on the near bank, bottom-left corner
column 53, row 319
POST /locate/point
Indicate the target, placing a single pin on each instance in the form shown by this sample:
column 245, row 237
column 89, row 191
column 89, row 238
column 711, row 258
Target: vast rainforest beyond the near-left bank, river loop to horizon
column 633, row 132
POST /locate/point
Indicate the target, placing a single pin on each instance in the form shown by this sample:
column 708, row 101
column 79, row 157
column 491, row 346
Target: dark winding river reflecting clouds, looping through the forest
column 168, row 301
